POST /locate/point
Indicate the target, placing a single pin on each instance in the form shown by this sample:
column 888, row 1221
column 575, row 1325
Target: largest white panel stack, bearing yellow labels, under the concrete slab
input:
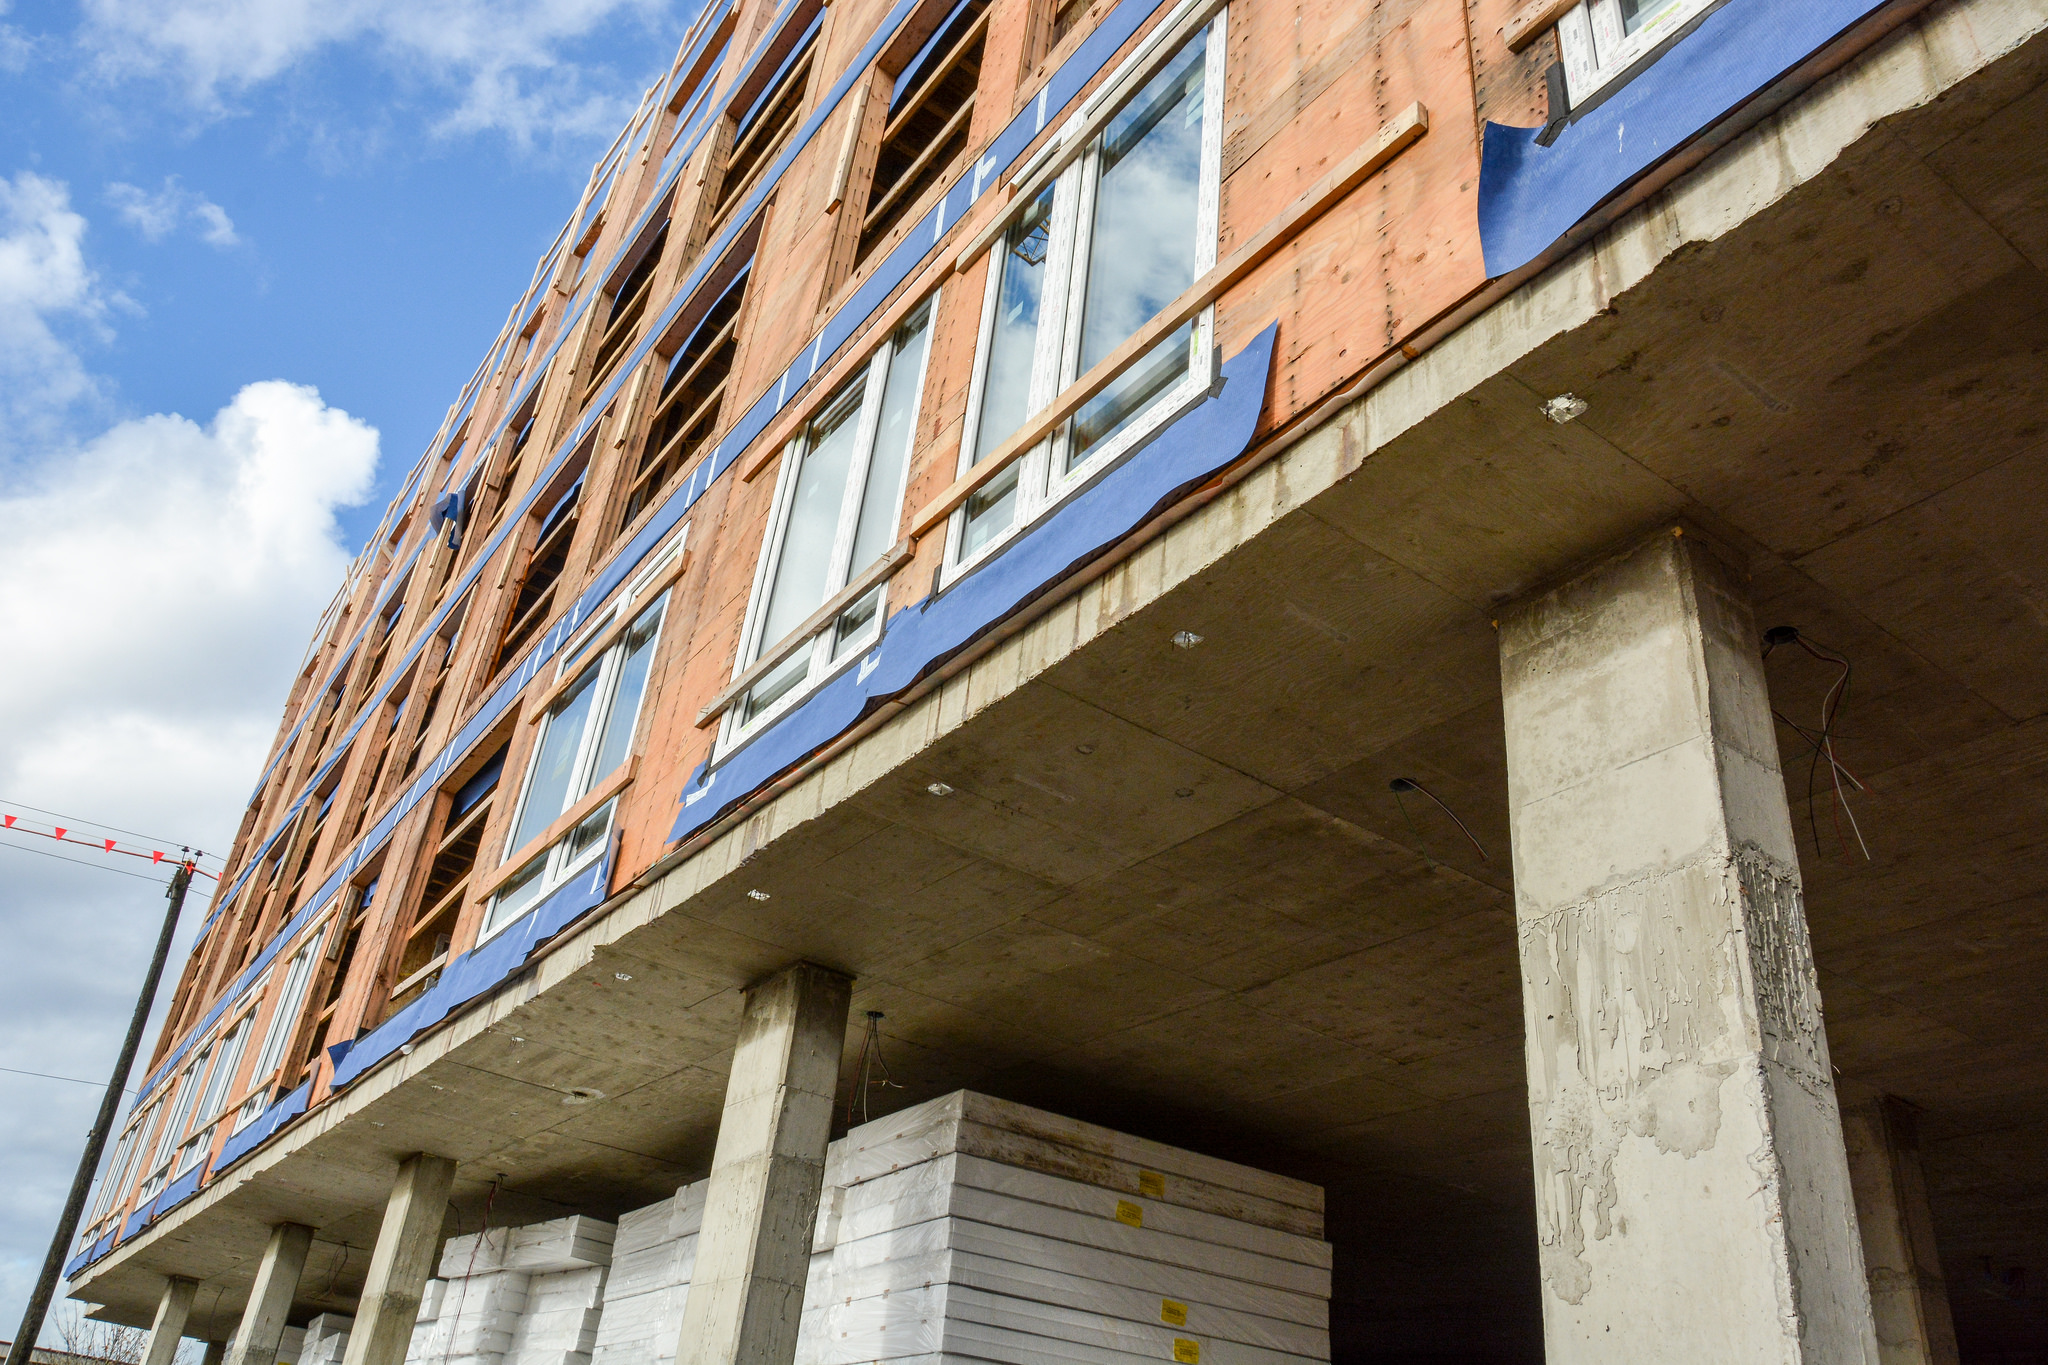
column 988, row 1231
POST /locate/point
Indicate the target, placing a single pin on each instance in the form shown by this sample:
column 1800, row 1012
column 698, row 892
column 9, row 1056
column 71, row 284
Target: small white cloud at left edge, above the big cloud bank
column 44, row 285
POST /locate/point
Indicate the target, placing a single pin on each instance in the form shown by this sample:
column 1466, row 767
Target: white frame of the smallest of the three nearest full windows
column 558, row 865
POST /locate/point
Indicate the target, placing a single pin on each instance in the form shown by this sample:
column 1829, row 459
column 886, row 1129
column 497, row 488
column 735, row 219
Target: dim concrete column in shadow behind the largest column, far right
column 1908, row 1294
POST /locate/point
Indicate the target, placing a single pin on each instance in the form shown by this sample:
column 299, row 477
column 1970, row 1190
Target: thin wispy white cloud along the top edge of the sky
column 507, row 62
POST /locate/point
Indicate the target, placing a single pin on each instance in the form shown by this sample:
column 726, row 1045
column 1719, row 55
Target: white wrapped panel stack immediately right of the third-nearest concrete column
column 517, row 1296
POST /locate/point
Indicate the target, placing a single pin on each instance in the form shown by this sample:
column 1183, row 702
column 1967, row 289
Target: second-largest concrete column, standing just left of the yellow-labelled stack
column 767, row 1172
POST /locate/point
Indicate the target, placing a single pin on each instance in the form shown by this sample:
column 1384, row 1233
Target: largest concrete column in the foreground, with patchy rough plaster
column 1693, row 1196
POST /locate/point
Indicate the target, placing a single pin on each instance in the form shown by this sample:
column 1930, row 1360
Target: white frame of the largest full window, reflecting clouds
column 1043, row 480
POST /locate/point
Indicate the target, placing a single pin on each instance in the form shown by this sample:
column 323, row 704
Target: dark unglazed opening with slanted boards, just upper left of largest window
column 929, row 118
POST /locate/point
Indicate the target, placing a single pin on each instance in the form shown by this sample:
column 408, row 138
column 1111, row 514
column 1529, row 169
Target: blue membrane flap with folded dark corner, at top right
column 1529, row 195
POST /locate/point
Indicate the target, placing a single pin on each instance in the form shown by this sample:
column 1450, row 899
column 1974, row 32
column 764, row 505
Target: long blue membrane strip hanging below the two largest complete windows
column 927, row 633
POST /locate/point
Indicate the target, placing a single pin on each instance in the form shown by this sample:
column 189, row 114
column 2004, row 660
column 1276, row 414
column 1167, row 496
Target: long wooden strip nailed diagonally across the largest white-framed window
column 1394, row 138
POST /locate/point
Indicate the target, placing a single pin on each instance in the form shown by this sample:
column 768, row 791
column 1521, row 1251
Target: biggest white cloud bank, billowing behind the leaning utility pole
column 155, row 597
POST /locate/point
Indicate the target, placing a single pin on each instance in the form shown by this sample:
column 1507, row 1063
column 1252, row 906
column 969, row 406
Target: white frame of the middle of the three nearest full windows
column 828, row 654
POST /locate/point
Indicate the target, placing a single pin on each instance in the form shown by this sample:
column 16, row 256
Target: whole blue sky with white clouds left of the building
column 251, row 251
